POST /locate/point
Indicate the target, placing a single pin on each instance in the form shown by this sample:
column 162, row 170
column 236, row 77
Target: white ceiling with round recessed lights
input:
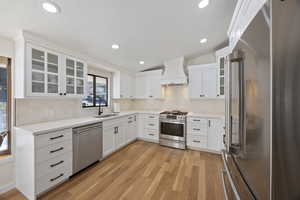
column 149, row 30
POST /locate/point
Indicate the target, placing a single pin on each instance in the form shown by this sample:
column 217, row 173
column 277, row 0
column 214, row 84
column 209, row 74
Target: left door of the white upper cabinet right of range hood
column 195, row 83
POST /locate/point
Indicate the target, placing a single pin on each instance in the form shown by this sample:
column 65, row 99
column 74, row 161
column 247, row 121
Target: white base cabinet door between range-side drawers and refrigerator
column 214, row 135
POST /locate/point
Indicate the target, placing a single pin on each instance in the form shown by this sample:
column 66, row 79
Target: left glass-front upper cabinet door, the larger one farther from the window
column 43, row 72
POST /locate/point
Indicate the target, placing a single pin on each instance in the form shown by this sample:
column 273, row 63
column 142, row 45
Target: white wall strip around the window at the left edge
column 7, row 172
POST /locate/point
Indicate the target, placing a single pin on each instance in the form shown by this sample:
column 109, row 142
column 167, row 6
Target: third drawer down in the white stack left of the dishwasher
column 53, row 164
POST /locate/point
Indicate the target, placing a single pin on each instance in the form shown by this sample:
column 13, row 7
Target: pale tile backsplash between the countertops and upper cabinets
column 29, row 111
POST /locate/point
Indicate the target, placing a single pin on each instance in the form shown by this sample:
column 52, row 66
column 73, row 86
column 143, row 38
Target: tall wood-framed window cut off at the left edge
column 5, row 105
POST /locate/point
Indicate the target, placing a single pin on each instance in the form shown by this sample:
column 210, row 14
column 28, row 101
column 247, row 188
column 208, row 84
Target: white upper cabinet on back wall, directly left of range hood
column 147, row 85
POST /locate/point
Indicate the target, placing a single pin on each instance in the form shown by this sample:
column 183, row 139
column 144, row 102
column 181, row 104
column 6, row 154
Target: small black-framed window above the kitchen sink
column 97, row 91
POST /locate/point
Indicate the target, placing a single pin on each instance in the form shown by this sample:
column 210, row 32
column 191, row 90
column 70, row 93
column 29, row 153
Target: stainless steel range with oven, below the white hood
column 173, row 129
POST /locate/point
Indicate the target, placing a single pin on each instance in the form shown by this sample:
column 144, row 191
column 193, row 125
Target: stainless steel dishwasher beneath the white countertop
column 87, row 146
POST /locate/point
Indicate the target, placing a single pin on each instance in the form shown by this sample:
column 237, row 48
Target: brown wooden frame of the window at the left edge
column 9, row 106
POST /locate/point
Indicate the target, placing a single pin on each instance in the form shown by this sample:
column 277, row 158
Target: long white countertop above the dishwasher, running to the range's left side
column 41, row 128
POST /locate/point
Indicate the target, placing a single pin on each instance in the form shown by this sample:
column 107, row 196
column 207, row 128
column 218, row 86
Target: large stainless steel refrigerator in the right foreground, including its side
column 261, row 160
